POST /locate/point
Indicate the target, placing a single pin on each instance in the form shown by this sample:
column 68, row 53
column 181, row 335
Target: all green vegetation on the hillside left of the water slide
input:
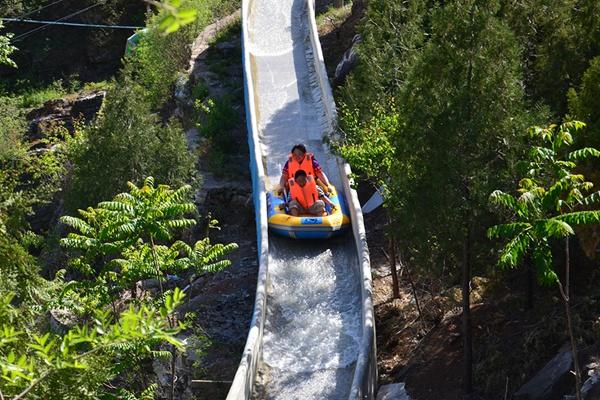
column 90, row 210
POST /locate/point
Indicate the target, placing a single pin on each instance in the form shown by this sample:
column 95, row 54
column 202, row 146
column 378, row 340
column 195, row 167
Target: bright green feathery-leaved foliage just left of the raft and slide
column 127, row 232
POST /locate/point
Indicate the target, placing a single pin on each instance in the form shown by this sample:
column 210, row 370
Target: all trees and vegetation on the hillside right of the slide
column 463, row 114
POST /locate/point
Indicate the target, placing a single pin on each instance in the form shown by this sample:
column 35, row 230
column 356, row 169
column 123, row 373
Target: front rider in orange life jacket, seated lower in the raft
column 306, row 196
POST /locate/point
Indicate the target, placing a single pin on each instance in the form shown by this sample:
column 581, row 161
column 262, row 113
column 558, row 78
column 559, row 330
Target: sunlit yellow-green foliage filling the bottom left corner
column 43, row 363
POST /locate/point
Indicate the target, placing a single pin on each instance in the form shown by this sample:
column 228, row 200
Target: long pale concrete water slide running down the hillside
column 312, row 331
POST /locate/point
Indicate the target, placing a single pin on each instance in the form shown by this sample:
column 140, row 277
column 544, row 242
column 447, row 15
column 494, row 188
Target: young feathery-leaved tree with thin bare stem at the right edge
column 546, row 209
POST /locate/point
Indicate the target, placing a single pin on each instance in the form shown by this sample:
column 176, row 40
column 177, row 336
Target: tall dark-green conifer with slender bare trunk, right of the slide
column 462, row 107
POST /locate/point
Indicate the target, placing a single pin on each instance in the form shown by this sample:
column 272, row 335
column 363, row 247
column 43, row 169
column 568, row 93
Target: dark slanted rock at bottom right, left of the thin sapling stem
column 552, row 381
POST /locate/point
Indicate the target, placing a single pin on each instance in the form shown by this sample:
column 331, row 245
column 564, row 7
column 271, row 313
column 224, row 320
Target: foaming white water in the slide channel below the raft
column 312, row 330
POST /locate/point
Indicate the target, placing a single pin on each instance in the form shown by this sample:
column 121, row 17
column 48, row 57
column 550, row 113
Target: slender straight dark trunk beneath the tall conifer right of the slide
column 466, row 318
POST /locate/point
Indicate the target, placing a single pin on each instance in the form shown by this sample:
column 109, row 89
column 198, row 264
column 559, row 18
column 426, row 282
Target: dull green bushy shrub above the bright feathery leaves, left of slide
column 132, row 143
